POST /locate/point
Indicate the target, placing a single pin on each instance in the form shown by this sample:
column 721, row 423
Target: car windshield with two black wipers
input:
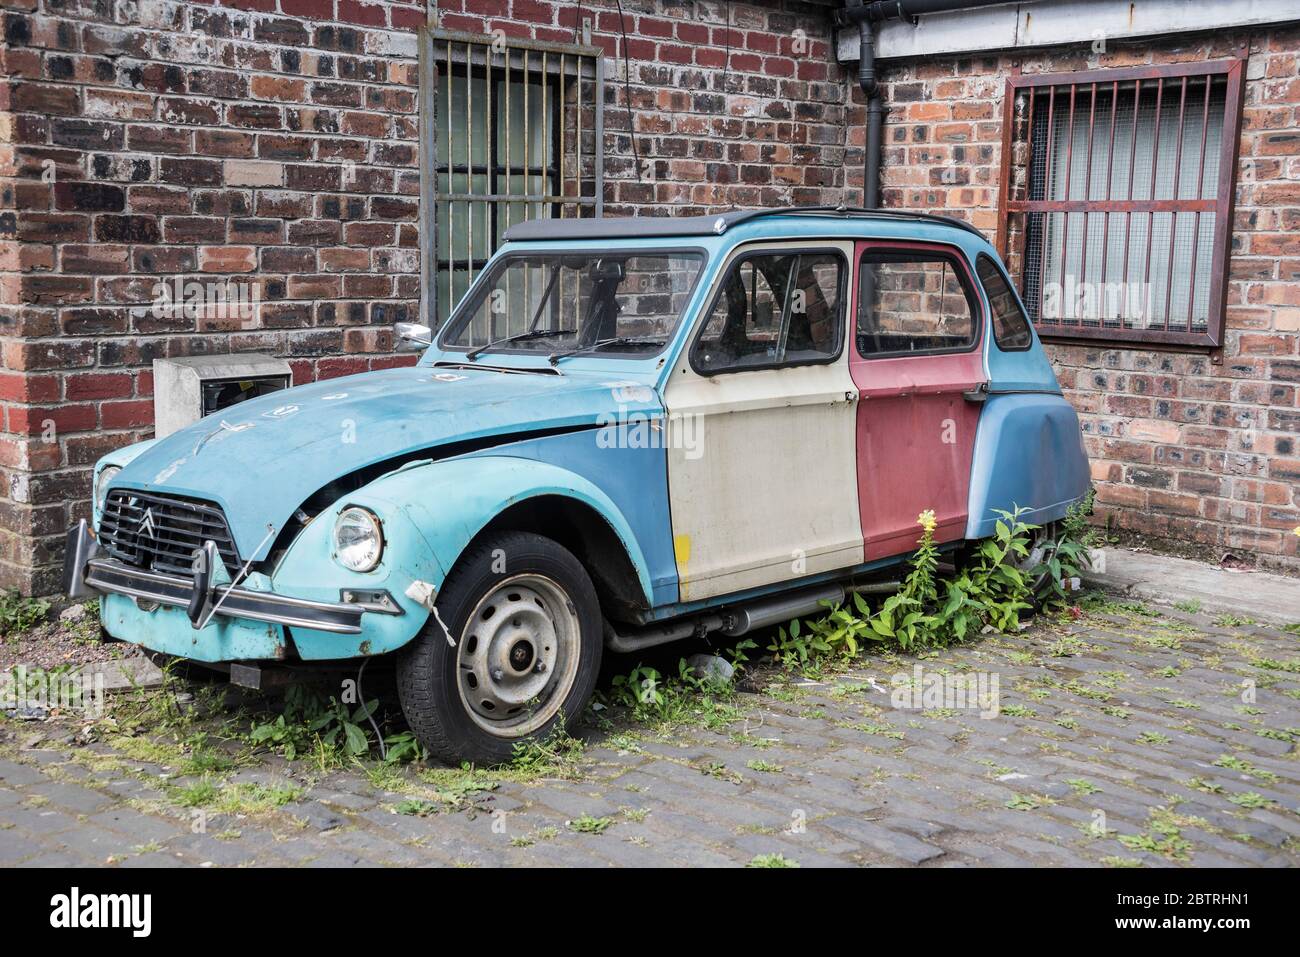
column 608, row 305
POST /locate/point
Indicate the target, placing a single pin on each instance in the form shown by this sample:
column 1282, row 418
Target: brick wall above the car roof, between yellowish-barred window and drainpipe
column 762, row 127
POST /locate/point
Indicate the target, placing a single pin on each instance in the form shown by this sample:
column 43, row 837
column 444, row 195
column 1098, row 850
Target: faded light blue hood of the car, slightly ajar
column 263, row 458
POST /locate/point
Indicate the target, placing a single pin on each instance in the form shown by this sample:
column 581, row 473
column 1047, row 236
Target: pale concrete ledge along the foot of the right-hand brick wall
column 1220, row 591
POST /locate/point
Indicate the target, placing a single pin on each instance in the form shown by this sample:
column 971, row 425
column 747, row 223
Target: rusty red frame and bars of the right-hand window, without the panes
column 1169, row 79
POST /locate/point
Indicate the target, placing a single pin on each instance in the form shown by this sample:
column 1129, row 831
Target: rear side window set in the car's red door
column 915, row 301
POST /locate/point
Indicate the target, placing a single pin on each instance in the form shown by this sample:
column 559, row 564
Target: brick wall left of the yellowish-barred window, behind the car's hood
column 258, row 141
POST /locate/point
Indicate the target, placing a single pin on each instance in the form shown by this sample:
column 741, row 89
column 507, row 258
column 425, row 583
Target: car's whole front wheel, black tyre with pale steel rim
column 519, row 656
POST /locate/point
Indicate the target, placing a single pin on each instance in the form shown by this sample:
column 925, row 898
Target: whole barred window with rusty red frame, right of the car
column 1119, row 207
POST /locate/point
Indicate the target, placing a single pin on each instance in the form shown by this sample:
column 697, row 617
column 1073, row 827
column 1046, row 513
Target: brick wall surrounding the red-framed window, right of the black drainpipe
column 1182, row 448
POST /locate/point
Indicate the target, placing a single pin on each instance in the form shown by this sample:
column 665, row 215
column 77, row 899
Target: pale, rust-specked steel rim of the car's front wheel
column 518, row 656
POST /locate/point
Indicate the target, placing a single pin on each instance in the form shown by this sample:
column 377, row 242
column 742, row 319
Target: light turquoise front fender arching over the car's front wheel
column 431, row 512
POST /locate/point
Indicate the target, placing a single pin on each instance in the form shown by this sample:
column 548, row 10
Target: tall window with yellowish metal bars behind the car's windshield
column 512, row 129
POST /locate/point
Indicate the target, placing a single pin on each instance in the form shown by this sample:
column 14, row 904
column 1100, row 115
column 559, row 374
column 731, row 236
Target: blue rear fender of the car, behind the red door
column 1029, row 453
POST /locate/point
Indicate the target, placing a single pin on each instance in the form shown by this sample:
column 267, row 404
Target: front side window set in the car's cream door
column 779, row 309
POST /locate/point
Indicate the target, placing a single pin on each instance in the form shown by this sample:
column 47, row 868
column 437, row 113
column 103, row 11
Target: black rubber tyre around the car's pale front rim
column 432, row 683
